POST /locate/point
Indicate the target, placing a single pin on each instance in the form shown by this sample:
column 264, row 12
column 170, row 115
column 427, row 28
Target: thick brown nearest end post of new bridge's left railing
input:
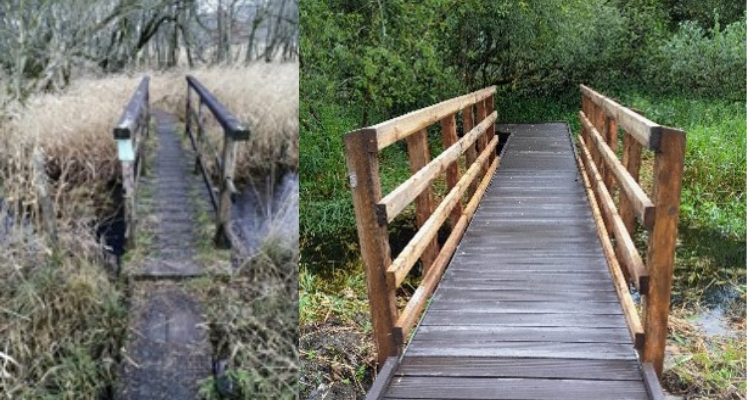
column 363, row 168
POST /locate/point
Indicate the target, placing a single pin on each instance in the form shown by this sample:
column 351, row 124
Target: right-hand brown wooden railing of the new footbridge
column 601, row 119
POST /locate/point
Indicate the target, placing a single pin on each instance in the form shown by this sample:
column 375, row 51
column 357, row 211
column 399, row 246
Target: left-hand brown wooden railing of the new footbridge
column 374, row 211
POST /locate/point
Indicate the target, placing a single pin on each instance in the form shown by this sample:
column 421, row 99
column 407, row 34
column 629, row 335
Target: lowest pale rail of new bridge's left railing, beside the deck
column 417, row 302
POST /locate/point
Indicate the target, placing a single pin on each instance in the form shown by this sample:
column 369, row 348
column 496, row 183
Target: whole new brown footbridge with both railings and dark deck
column 529, row 296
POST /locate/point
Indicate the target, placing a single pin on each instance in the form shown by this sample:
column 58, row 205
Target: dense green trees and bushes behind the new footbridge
column 363, row 62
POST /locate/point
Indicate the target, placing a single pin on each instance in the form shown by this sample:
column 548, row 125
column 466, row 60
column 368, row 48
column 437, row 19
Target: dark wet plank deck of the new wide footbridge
column 526, row 308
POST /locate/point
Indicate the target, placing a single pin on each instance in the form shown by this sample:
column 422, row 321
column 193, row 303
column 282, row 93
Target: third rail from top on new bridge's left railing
column 415, row 248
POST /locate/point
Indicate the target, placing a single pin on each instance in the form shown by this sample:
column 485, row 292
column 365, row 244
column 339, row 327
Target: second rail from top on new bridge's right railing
column 642, row 205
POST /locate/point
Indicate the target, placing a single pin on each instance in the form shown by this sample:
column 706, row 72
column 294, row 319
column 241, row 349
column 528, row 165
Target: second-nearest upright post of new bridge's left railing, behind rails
column 420, row 156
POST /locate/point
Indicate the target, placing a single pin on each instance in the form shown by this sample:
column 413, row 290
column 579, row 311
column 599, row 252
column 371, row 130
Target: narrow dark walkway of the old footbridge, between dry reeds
column 168, row 350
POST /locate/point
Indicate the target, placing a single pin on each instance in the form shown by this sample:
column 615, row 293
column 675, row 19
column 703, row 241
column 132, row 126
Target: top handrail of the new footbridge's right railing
column 642, row 129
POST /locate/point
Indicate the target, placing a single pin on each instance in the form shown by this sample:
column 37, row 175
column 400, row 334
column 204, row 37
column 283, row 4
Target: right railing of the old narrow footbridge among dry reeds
column 233, row 131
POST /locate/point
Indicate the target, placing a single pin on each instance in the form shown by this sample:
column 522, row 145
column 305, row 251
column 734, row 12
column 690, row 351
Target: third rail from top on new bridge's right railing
column 625, row 248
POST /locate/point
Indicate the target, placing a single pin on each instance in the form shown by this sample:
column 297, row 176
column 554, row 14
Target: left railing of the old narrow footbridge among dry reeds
column 131, row 133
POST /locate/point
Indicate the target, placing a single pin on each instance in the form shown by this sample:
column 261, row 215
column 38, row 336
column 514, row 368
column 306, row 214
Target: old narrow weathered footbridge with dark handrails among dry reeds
column 167, row 350
